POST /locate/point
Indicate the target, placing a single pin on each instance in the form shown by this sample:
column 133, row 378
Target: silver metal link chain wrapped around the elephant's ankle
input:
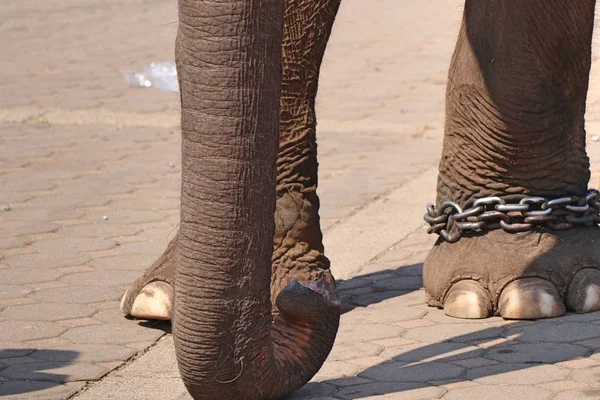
column 451, row 221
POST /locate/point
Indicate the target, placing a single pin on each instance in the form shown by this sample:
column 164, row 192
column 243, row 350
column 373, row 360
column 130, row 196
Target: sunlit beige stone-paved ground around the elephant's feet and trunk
column 89, row 175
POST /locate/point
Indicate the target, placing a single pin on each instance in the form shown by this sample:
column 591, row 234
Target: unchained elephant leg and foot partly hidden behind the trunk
column 298, row 249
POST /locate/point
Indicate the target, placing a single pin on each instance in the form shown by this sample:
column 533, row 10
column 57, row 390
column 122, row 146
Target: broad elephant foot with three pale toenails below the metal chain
column 528, row 275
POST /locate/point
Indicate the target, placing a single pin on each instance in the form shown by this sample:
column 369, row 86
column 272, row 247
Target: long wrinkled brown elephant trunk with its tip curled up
column 228, row 345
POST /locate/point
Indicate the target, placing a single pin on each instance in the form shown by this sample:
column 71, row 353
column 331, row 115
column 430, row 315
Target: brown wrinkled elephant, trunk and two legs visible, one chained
column 255, row 317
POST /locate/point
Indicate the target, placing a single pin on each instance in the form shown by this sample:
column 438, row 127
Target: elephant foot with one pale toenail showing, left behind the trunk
column 151, row 295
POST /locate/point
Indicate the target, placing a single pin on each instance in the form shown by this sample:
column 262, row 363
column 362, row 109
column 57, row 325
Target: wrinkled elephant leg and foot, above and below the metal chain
column 515, row 109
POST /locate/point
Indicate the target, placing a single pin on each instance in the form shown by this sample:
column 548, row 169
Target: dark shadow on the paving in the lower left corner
column 27, row 374
